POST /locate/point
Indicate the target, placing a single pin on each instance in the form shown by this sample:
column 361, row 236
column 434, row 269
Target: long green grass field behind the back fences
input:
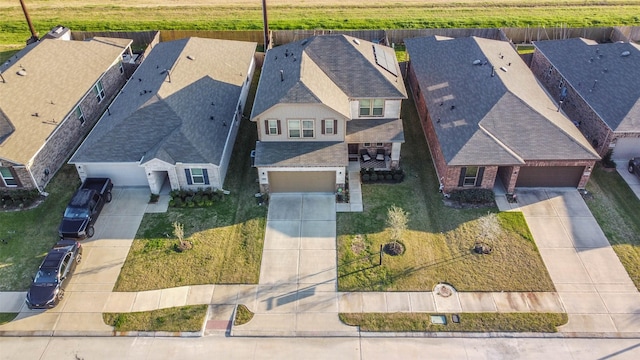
column 386, row 15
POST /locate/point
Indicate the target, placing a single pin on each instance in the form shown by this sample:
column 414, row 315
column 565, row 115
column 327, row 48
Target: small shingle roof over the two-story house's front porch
column 361, row 131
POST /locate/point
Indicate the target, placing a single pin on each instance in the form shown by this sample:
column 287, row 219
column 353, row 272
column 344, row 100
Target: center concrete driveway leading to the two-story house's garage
column 297, row 294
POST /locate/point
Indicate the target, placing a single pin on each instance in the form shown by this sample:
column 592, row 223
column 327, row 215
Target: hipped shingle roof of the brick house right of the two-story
column 492, row 112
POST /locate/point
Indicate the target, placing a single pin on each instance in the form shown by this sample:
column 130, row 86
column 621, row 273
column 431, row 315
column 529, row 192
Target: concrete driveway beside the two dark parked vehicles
column 91, row 285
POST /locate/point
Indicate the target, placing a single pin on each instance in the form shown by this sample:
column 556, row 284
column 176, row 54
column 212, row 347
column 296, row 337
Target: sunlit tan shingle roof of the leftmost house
column 58, row 75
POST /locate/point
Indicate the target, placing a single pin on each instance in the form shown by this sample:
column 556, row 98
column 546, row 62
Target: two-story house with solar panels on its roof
column 322, row 102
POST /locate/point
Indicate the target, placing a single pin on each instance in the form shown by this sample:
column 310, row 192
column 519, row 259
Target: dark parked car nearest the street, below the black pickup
column 47, row 288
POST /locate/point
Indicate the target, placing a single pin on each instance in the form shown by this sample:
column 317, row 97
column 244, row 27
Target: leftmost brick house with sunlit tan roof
column 51, row 95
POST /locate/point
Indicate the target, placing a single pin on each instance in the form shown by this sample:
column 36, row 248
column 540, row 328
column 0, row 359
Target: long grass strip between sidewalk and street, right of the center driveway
column 469, row 322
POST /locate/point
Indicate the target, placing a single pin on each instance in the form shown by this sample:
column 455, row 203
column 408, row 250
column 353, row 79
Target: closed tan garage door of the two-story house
column 308, row 181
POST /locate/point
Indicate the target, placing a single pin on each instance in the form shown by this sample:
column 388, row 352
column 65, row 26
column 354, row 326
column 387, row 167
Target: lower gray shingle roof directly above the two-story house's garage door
column 301, row 154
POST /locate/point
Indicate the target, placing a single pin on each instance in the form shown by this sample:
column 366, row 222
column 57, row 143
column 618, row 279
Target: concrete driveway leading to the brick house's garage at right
column 593, row 286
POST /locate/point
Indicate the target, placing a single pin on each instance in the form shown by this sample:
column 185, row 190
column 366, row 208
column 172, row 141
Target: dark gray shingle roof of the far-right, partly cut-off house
column 605, row 79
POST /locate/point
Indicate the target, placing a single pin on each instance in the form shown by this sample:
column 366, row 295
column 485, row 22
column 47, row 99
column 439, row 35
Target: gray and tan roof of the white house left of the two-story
column 184, row 114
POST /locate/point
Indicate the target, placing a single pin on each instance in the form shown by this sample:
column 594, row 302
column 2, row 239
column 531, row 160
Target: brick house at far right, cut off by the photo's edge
column 596, row 85
